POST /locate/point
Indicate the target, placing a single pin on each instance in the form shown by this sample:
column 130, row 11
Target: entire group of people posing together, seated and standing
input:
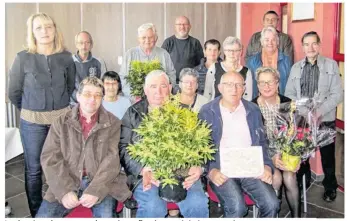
column 77, row 118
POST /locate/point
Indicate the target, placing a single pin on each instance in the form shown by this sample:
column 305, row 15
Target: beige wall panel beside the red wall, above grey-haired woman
column 221, row 20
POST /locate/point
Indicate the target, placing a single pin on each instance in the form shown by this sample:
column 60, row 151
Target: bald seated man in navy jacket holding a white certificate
column 235, row 122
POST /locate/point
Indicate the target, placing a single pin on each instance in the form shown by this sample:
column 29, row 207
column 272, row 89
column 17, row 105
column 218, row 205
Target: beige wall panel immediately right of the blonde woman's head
column 68, row 18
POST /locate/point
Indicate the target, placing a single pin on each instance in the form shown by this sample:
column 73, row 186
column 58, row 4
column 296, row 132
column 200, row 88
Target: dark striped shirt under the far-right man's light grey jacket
column 309, row 80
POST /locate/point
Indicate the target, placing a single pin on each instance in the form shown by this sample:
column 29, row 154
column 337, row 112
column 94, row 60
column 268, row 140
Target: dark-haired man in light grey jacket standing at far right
column 318, row 75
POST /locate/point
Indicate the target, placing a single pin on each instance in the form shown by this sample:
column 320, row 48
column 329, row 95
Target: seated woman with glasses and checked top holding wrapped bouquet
column 268, row 83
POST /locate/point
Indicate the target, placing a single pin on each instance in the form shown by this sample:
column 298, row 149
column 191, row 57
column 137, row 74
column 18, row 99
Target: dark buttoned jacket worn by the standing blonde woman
column 41, row 83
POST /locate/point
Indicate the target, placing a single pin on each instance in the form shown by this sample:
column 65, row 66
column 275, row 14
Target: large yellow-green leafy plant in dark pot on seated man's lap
column 173, row 139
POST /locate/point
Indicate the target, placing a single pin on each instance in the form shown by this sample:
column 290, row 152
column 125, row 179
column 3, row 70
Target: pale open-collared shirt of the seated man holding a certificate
column 235, row 128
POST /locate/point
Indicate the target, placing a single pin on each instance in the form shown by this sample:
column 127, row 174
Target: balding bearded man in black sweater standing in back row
column 185, row 51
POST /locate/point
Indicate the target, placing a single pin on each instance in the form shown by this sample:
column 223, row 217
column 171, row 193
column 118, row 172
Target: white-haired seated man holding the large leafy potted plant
column 157, row 88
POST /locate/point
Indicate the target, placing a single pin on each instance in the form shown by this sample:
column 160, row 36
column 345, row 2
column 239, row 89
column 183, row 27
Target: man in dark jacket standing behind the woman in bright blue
column 270, row 19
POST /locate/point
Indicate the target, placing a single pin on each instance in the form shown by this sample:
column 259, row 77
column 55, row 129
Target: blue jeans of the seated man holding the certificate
column 230, row 195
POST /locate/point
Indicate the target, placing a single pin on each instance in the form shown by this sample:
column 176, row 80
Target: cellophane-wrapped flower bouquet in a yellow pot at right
column 299, row 131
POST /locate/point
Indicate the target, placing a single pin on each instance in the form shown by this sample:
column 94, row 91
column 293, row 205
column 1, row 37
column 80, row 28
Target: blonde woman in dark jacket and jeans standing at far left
column 41, row 82
